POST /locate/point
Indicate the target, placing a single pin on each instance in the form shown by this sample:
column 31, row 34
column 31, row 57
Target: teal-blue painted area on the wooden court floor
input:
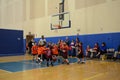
column 26, row 65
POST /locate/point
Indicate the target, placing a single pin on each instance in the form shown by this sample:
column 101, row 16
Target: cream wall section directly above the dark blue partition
column 12, row 14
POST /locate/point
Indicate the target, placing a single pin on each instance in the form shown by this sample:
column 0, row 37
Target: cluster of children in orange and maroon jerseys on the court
column 51, row 52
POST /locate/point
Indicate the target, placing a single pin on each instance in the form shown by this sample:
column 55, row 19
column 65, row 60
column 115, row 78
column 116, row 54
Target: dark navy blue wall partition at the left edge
column 11, row 42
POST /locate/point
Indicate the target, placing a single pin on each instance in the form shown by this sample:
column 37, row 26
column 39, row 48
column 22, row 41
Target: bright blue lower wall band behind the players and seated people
column 112, row 40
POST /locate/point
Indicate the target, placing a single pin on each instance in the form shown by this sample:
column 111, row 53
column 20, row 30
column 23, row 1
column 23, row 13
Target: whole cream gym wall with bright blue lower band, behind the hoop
column 94, row 19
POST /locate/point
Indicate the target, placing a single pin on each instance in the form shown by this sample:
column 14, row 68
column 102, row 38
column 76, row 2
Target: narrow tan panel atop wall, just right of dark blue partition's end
column 37, row 9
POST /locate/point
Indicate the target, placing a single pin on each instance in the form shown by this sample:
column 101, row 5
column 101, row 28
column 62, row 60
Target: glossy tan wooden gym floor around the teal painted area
column 92, row 70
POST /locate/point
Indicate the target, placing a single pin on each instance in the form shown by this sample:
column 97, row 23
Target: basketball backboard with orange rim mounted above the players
column 60, row 21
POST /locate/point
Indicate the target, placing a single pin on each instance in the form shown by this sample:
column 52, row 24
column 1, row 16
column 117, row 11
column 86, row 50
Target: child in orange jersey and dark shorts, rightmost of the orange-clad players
column 65, row 49
